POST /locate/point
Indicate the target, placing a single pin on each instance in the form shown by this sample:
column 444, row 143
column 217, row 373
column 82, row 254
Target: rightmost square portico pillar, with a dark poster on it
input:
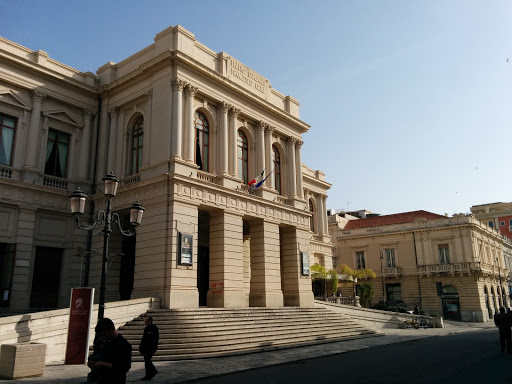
column 296, row 287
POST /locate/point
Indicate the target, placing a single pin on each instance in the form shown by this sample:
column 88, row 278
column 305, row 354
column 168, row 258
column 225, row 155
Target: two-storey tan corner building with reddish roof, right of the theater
column 414, row 253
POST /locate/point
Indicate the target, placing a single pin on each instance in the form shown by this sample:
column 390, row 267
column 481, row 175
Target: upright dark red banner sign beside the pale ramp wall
column 80, row 311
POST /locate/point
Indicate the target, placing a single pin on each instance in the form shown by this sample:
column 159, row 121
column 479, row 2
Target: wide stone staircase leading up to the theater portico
column 214, row 332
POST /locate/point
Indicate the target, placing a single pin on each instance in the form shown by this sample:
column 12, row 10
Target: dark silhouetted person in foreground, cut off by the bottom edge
column 115, row 359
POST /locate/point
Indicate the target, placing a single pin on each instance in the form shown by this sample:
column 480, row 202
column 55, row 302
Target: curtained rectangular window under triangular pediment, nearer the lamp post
column 57, row 150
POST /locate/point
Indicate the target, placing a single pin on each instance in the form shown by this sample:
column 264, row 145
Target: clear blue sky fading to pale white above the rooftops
column 409, row 102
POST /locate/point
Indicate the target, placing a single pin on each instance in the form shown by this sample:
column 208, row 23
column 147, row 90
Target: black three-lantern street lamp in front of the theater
column 77, row 201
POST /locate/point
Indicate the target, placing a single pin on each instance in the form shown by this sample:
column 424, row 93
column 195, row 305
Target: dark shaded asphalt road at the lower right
column 467, row 358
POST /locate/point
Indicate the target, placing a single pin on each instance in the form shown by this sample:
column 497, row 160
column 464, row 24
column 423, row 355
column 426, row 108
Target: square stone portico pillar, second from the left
column 226, row 261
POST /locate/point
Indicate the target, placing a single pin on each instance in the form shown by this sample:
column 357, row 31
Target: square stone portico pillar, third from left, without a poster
column 265, row 265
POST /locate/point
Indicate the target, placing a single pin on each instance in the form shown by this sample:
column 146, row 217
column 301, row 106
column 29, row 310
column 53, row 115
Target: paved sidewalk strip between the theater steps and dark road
column 186, row 370
